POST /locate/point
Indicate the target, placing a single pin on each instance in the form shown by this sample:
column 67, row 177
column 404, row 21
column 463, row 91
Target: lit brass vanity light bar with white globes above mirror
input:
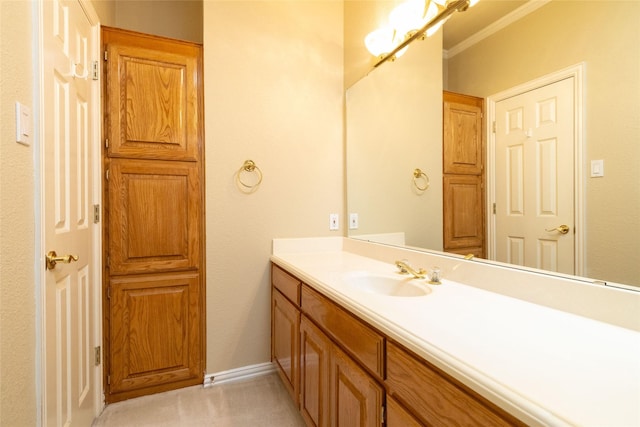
column 409, row 21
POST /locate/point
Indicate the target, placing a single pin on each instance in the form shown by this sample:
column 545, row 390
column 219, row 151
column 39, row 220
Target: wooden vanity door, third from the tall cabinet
column 356, row 398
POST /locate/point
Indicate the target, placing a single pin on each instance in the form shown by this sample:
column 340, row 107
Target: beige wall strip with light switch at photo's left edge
column 17, row 228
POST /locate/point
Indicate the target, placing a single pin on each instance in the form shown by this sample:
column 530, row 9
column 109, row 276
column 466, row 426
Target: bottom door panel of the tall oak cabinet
column 154, row 329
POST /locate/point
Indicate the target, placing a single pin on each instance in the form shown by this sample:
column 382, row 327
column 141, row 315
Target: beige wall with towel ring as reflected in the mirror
column 386, row 143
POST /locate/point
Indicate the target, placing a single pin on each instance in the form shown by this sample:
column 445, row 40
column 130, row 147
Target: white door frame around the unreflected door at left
column 95, row 196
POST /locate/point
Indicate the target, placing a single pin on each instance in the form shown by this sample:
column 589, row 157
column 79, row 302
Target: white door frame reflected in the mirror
column 576, row 72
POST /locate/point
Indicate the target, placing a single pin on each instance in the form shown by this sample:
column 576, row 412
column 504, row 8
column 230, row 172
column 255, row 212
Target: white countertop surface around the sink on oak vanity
column 546, row 366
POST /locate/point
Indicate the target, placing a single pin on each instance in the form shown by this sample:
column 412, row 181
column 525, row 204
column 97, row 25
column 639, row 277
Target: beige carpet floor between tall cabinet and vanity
column 260, row 401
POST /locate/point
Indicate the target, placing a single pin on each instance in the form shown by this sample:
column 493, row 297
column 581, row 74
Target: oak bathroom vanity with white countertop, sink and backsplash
column 356, row 343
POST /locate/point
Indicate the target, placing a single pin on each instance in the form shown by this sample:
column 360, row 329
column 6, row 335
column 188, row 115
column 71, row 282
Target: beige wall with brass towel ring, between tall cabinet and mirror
column 273, row 94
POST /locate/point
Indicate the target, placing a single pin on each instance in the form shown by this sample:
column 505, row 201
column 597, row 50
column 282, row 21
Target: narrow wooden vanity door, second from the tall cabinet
column 315, row 359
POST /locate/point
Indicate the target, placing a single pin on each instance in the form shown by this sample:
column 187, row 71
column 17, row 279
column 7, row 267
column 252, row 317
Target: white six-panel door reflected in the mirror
column 534, row 178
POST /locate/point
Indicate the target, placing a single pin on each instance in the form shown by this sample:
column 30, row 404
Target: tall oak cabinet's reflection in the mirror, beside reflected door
column 463, row 175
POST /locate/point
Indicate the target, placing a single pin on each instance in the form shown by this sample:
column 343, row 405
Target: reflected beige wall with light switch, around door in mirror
column 605, row 35
